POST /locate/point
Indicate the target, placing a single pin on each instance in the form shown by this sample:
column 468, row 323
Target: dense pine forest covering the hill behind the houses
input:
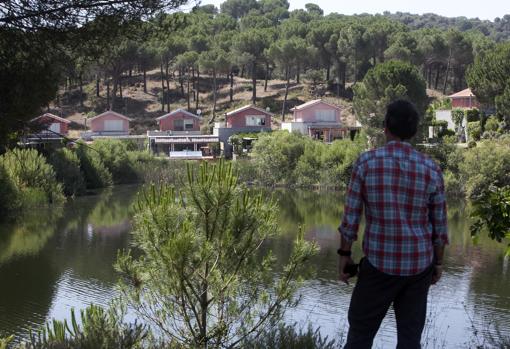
column 257, row 40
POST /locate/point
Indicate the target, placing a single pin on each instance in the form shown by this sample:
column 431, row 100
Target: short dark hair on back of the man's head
column 402, row 119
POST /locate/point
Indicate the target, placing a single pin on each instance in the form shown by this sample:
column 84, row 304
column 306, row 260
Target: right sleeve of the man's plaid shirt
column 437, row 213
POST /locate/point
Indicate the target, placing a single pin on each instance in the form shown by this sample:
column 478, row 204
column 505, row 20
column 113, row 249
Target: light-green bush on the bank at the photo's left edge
column 33, row 177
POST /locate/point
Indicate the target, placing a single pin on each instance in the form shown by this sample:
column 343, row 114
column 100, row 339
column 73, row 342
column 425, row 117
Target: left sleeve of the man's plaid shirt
column 353, row 204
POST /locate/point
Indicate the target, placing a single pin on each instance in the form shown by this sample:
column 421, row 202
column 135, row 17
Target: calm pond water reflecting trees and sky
column 53, row 260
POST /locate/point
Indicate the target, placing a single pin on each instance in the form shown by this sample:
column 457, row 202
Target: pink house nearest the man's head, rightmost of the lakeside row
column 320, row 120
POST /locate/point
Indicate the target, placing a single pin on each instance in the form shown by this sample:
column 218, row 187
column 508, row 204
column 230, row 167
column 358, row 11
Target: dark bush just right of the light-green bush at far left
column 66, row 164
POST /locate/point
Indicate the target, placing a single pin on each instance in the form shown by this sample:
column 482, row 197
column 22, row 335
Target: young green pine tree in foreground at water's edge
column 202, row 278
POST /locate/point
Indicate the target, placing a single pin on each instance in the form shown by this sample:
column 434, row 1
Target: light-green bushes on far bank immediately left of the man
column 291, row 159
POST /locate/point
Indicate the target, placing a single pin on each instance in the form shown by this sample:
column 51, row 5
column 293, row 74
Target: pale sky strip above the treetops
column 486, row 9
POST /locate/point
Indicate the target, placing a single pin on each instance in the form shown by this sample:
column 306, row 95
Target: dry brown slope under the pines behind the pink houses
column 144, row 108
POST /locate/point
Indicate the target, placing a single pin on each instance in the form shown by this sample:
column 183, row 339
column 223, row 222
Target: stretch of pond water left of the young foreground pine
column 53, row 259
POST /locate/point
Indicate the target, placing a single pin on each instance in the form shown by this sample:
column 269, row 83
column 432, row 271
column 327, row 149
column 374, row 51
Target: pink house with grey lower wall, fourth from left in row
column 247, row 119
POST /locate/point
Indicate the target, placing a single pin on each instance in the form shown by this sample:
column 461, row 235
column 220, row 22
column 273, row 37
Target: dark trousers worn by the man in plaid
column 373, row 294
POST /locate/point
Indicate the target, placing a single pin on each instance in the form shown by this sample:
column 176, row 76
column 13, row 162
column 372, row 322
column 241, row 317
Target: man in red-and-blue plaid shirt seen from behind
column 402, row 193
